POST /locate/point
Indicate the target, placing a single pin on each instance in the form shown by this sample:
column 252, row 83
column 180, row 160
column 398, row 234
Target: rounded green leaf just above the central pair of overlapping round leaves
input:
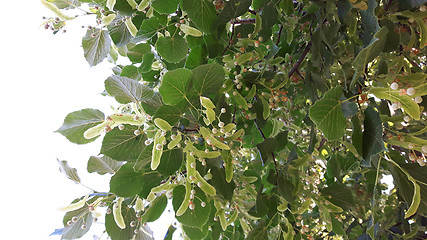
column 172, row 49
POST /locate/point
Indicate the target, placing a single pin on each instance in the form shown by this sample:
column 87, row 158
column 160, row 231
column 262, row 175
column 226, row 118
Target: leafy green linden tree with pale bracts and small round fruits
column 257, row 119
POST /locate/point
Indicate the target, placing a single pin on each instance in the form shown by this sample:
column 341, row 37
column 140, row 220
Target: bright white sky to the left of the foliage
column 44, row 77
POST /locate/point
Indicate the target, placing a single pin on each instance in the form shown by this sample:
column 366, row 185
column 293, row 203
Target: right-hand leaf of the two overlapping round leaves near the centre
column 208, row 78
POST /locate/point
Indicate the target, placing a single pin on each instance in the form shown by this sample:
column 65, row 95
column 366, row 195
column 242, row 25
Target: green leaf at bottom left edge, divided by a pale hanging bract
column 117, row 233
